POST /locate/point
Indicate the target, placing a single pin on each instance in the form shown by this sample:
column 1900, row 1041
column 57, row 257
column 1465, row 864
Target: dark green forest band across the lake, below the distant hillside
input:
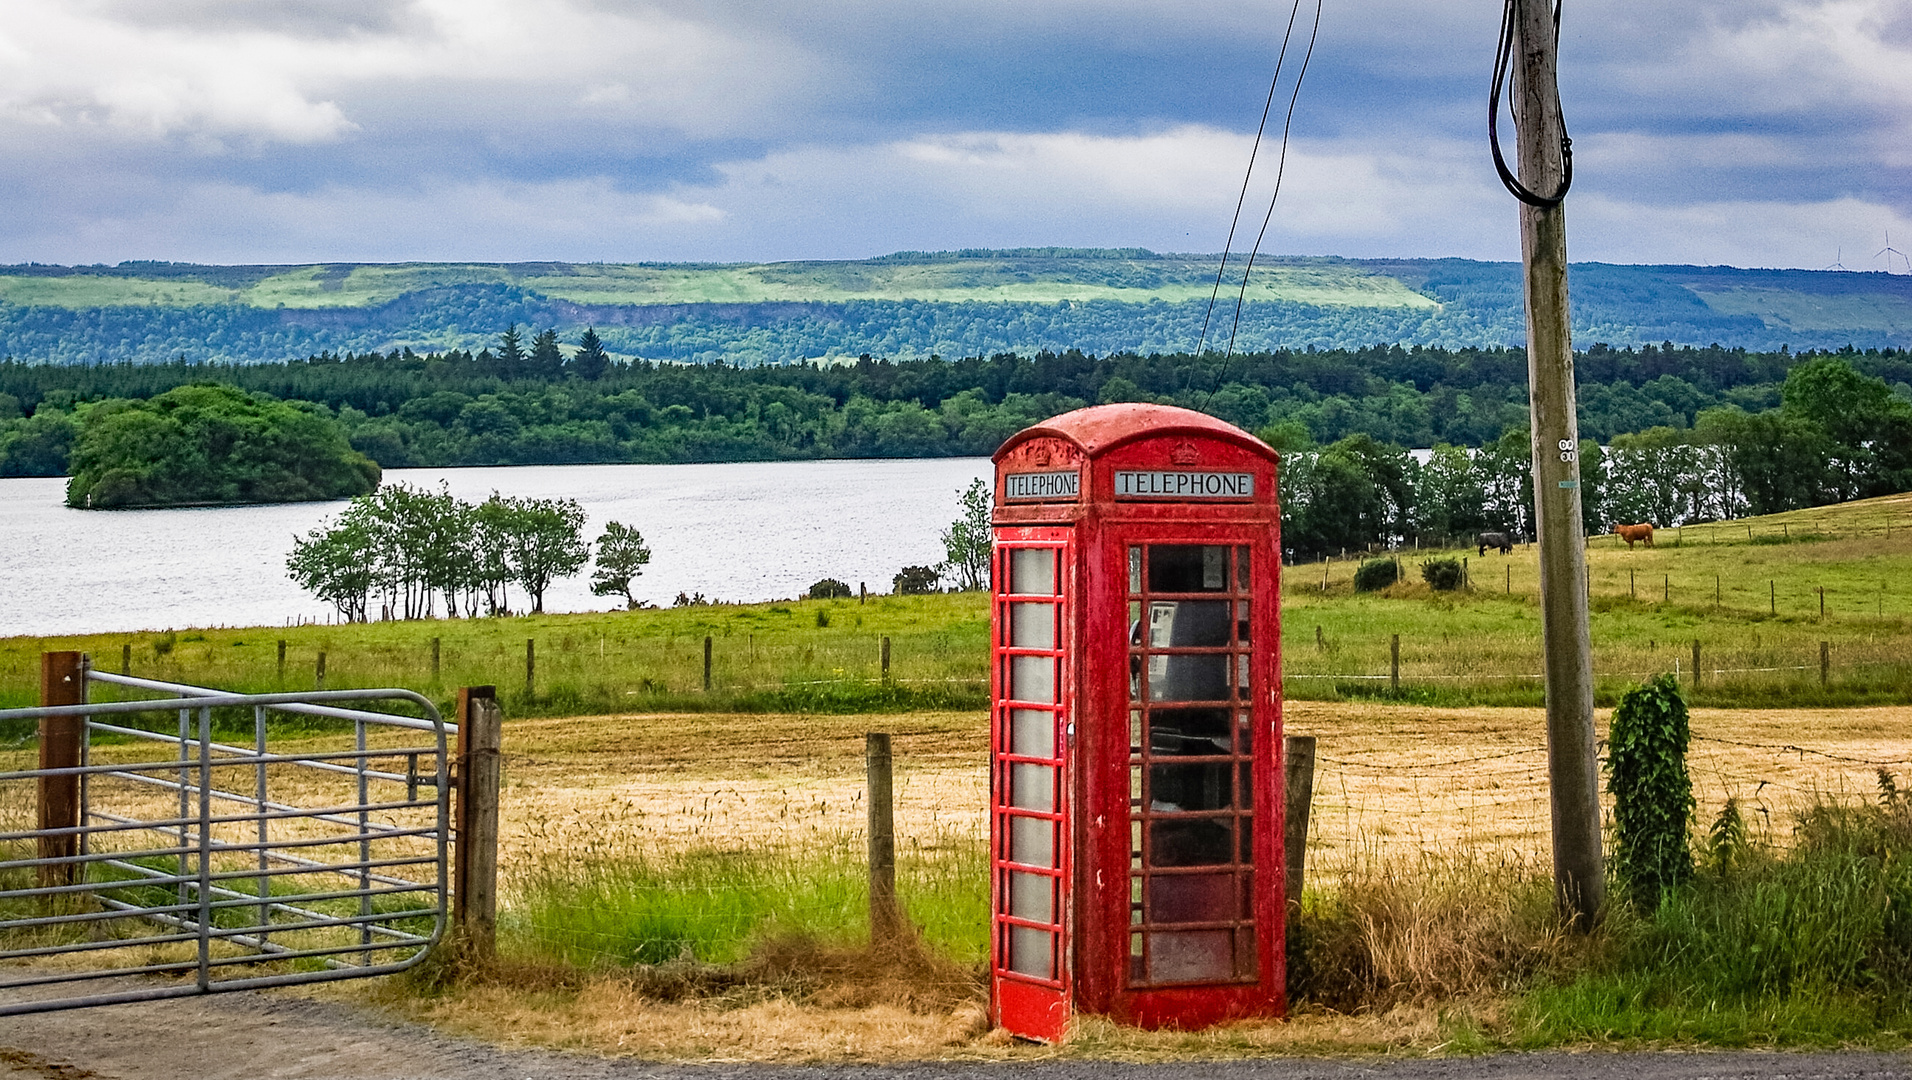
column 534, row 404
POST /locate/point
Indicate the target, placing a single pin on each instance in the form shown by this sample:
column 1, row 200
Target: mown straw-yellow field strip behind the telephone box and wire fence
column 1389, row 777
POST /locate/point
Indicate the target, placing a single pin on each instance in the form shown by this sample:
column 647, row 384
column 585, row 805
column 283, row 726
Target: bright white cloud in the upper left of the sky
column 72, row 64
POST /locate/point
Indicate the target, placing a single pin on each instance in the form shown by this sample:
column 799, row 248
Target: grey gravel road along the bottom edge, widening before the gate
column 267, row 1037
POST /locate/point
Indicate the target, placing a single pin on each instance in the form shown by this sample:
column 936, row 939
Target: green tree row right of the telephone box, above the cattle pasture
column 1838, row 435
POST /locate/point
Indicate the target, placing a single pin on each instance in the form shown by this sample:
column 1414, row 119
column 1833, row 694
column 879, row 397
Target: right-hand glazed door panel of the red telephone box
column 1202, row 840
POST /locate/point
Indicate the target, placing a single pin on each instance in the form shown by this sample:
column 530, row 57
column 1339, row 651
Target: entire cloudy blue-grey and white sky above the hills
column 1752, row 133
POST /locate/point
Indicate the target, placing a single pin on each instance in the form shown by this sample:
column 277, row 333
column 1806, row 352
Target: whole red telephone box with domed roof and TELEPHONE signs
column 1137, row 724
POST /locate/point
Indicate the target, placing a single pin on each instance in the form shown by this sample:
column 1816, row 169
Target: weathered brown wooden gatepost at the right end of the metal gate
column 475, row 832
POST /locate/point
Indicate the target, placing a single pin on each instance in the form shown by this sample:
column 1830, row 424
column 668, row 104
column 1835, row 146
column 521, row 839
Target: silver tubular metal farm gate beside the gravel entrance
column 171, row 848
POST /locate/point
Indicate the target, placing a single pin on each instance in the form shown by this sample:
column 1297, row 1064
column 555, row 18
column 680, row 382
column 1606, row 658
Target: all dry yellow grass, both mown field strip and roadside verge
column 1395, row 785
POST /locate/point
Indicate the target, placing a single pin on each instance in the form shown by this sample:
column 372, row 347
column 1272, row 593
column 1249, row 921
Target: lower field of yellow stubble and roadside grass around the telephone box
column 643, row 850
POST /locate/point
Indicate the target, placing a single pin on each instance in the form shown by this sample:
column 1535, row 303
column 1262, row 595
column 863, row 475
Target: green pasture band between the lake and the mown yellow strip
column 1760, row 641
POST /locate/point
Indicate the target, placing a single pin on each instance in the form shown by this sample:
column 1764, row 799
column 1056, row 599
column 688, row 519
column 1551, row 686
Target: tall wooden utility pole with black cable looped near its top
column 1573, row 764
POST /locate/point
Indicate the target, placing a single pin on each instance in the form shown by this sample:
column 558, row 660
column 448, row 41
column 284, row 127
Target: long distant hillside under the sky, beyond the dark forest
column 968, row 303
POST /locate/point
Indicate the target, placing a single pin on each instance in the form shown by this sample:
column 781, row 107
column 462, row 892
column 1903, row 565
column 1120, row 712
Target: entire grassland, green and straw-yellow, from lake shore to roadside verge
column 684, row 869
